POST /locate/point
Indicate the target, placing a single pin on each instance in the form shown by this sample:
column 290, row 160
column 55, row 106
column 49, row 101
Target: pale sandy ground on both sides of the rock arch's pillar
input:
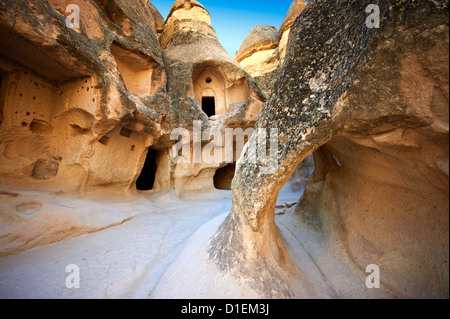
column 127, row 246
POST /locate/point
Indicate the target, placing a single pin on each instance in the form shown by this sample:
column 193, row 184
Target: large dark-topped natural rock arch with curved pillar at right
column 374, row 102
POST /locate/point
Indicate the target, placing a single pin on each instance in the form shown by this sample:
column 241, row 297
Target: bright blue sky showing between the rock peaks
column 233, row 19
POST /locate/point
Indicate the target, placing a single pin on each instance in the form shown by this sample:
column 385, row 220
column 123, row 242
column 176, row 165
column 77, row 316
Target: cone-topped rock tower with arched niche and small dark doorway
column 205, row 85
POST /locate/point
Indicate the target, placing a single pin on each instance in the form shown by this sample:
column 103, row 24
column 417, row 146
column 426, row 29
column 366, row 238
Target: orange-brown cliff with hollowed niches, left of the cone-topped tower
column 71, row 97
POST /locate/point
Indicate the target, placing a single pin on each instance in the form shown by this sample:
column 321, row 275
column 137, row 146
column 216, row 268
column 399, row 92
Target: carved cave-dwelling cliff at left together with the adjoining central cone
column 80, row 108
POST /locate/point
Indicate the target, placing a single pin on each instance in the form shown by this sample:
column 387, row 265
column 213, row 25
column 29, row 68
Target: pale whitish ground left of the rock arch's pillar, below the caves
column 123, row 261
